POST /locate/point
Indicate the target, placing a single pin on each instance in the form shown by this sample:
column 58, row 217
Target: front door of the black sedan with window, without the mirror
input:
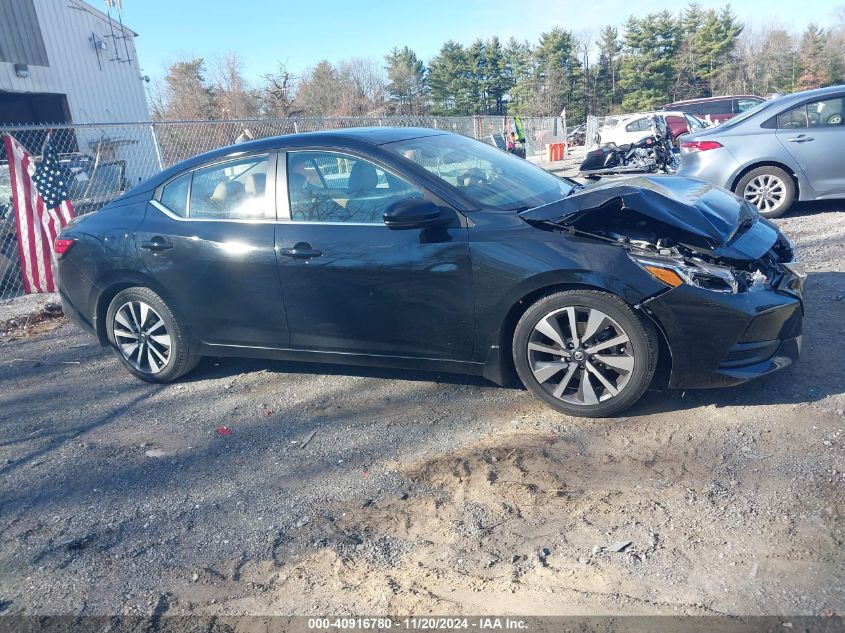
column 353, row 285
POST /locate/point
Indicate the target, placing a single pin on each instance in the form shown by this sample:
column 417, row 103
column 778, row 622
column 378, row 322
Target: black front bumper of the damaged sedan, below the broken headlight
column 721, row 340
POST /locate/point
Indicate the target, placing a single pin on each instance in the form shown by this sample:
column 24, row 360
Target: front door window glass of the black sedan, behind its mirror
column 334, row 187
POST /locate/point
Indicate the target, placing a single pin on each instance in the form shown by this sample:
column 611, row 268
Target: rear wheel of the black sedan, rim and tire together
column 147, row 338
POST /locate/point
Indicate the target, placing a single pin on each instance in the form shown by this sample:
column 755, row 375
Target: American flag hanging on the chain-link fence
column 42, row 209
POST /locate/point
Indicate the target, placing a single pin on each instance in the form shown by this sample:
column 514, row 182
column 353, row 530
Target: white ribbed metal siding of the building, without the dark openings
column 113, row 94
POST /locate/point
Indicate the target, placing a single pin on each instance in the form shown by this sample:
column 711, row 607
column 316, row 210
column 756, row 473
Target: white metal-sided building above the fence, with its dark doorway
column 63, row 61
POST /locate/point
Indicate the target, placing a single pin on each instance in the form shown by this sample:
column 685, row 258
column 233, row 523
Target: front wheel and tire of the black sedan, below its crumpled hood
column 585, row 352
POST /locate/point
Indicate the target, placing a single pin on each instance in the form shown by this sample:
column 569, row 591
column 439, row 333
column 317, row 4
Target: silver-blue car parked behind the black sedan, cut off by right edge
column 792, row 147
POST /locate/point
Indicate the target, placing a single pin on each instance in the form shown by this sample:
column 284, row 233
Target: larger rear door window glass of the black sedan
column 234, row 190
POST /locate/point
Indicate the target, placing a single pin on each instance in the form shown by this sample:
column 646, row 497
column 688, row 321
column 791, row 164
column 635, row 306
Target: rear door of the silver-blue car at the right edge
column 814, row 135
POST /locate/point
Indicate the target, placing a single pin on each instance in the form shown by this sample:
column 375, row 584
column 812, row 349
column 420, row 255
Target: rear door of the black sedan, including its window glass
column 208, row 240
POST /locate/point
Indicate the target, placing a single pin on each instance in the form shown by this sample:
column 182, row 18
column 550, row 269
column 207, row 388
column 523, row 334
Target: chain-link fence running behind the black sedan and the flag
column 102, row 161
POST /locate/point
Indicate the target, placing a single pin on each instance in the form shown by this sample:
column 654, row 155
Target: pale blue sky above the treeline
column 300, row 33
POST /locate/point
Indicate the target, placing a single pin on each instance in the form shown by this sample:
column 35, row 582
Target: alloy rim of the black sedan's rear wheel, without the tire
column 142, row 337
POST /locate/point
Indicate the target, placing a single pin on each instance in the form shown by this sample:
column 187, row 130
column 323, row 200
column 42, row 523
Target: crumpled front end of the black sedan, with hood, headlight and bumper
column 731, row 308
